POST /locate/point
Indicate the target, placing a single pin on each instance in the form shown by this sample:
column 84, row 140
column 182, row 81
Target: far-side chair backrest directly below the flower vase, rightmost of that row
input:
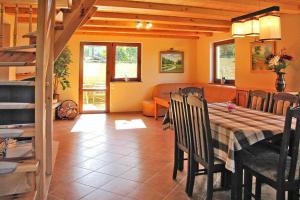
column 281, row 101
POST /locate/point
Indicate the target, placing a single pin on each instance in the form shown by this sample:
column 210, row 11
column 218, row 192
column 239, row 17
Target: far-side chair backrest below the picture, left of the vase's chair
column 258, row 100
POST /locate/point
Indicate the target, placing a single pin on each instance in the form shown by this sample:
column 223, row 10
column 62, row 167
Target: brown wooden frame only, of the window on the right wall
column 215, row 45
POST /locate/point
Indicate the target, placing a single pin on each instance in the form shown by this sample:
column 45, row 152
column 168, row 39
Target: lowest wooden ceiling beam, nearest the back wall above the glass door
column 136, row 35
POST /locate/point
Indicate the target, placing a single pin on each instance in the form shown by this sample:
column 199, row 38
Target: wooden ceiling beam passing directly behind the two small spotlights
column 108, row 23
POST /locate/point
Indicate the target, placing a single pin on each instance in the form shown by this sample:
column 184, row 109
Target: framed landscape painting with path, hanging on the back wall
column 171, row 61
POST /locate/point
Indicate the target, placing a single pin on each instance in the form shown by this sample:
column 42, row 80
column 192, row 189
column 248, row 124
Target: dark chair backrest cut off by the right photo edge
column 290, row 145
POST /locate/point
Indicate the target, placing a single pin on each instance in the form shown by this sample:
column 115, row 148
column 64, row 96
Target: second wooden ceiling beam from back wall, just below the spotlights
column 143, row 31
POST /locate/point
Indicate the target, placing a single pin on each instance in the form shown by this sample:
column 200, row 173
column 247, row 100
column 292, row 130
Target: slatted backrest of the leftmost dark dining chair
column 179, row 117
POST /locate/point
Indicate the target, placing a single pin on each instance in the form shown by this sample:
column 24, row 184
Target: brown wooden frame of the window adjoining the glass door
column 113, row 59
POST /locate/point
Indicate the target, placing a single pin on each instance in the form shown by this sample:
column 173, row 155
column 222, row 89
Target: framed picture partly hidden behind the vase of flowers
column 259, row 52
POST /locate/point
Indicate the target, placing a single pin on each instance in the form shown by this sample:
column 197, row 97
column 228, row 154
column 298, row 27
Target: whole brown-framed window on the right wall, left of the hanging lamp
column 224, row 61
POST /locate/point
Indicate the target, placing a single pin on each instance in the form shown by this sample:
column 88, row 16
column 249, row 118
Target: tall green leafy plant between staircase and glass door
column 61, row 72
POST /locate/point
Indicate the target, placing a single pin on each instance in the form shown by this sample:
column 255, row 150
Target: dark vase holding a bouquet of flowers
column 278, row 63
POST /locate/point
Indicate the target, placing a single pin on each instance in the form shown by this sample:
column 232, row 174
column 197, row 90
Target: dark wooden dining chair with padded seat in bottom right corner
column 279, row 170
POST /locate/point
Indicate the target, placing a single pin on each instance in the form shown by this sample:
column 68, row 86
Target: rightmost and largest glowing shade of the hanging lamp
column 270, row 27
